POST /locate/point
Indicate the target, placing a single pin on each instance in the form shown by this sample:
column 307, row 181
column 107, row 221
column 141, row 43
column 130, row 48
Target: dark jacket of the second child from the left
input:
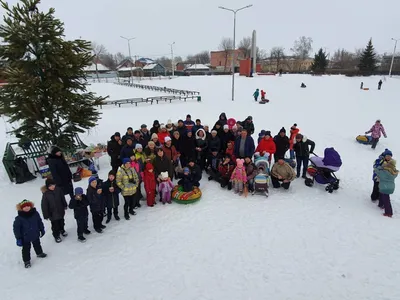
column 53, row 204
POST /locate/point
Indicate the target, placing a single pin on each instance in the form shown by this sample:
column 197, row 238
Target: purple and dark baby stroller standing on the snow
column 322, row 170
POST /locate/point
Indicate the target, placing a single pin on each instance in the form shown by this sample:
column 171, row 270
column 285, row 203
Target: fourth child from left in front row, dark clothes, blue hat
column 96, row 202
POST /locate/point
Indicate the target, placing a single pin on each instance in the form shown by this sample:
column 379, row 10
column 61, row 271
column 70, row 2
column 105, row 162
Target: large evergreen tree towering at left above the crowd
column 46, row 94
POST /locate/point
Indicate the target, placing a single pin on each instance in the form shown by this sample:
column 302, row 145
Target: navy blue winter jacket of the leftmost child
column 28, row 226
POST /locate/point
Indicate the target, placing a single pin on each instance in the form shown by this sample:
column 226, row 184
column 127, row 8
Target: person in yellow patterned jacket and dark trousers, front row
column 127, row 181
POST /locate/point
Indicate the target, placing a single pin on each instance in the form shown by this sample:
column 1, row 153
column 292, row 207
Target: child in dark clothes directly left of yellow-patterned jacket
column 111, row 193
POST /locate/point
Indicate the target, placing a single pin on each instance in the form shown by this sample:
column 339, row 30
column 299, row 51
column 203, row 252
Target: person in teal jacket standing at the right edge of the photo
column 387, row 173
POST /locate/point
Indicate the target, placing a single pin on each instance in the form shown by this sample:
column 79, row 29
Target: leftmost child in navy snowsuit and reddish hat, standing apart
column 28, row 229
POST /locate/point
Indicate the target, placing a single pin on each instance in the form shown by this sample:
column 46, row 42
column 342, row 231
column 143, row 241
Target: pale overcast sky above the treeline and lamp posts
column 196, row 25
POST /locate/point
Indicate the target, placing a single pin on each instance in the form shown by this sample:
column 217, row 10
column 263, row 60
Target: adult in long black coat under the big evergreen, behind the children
column 60, row 171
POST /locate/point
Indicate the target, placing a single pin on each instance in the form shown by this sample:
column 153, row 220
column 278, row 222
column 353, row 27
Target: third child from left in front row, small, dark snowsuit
column 79, row 204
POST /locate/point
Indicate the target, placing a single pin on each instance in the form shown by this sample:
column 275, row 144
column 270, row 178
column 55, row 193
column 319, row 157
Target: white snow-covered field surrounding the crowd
column 300, row 244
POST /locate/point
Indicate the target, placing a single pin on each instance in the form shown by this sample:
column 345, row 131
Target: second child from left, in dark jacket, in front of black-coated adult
column 53, row 208
